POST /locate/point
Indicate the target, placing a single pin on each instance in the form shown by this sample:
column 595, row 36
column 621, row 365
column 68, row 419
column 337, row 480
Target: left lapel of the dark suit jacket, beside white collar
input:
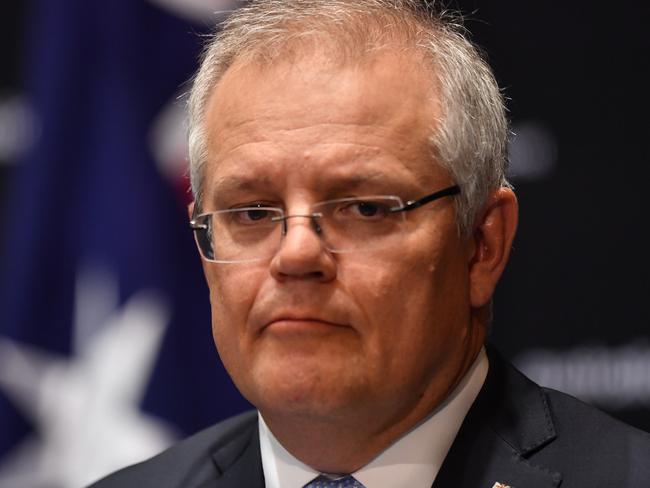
column 238, row 462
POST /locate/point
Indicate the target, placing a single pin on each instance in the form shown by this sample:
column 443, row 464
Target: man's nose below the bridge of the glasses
column 302, row 253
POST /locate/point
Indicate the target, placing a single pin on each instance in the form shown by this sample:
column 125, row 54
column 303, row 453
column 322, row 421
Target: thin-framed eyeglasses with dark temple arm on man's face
column 255, row 232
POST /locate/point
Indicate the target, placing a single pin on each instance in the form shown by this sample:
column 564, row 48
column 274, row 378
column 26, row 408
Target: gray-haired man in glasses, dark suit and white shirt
column 353, row 217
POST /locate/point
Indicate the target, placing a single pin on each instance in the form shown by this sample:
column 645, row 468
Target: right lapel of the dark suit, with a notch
column 509, row 421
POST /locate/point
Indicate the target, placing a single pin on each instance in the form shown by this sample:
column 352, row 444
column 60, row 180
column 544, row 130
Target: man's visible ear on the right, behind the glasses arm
column 493, row 236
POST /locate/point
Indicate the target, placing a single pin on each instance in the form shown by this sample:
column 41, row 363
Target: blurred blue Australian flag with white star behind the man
column 106, row 354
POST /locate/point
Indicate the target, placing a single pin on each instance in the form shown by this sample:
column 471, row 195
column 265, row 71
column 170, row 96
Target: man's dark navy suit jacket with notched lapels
column 516, row 433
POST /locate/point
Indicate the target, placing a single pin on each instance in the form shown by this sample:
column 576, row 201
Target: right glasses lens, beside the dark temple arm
column 353, row 224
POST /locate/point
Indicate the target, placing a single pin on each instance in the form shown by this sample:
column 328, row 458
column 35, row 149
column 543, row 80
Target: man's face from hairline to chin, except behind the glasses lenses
column 317, row 334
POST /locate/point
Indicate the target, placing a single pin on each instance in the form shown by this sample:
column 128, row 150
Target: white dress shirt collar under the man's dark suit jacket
column 413, row 460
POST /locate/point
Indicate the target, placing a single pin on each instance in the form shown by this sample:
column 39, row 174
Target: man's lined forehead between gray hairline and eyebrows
column 312, row 113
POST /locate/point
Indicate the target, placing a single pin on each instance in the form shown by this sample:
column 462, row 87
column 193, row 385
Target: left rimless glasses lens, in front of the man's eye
column 239, row 235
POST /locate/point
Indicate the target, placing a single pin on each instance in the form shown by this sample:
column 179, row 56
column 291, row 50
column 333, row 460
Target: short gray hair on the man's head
column 469, row 140
